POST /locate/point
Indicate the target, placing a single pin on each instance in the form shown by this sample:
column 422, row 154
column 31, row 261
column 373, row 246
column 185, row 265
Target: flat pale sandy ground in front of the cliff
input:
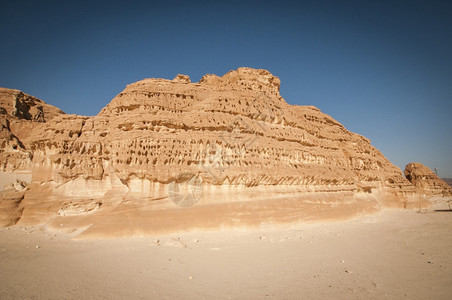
column 393, row 254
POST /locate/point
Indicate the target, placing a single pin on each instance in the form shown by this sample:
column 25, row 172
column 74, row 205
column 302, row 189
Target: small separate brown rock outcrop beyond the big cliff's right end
column 426, row 181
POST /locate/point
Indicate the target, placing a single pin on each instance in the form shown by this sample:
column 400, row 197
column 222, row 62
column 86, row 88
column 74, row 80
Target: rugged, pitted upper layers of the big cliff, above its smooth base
column 234, row 130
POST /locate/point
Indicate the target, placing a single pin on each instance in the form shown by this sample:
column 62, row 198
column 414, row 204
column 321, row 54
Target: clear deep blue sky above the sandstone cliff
column 381, row 68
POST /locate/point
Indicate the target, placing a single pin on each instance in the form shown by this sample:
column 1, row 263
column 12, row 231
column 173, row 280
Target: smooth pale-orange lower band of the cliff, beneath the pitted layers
column 122, row 213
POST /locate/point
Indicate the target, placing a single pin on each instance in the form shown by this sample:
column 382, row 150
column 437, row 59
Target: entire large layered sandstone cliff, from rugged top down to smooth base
column 230, row 144
